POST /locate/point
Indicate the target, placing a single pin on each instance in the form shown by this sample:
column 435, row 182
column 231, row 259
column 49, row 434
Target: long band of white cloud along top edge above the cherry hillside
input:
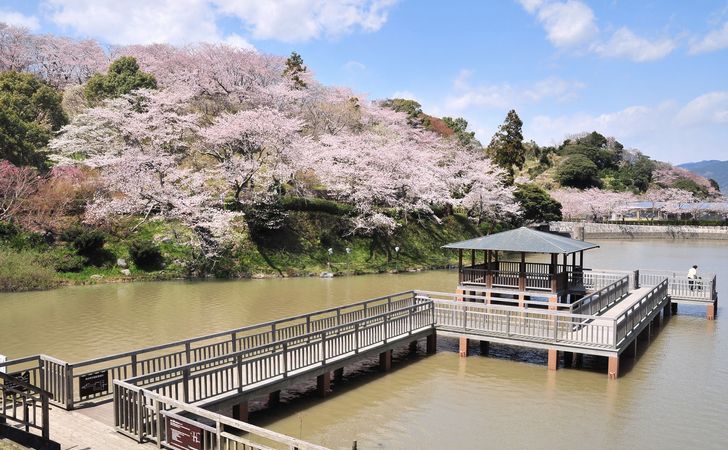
column 185, row 21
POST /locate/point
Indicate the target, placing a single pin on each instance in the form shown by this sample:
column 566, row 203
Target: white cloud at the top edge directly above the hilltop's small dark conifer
column 302, row 20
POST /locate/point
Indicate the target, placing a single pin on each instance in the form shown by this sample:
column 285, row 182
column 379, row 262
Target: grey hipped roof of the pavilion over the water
column 524, row 240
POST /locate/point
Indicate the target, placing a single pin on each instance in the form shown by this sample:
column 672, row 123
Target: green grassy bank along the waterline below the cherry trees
column 310, row 242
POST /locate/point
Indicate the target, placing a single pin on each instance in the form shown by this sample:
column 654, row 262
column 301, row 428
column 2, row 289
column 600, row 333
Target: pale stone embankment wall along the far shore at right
column 627, row 231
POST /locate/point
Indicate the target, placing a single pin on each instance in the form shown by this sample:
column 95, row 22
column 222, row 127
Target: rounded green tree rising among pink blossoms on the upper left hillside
column 122, row 77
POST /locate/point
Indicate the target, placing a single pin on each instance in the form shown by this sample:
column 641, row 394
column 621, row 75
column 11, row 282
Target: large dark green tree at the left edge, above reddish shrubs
column 30, row 112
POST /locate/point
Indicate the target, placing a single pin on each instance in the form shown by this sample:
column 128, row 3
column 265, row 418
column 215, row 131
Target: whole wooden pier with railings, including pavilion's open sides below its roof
column 205, row 384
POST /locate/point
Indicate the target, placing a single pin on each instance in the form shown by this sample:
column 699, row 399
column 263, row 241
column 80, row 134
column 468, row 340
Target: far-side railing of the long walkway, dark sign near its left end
column 65, row 380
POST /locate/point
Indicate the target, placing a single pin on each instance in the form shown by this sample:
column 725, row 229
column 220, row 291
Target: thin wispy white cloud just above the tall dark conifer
column 468, row 95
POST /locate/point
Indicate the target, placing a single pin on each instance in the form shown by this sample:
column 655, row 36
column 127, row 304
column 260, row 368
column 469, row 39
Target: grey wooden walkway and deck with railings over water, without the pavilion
column 185, row 381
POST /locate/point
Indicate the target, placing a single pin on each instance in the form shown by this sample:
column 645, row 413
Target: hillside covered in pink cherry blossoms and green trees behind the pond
column 158, row 161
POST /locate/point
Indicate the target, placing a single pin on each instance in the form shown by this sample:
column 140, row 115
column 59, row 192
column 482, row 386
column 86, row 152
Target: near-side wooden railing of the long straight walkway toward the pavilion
column 249, row 369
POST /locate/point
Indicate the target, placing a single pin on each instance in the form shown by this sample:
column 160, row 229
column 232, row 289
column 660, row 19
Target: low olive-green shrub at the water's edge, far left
column 23, row 271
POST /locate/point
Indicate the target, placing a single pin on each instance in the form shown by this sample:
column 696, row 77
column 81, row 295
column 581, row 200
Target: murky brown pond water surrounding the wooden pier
column 675, row 396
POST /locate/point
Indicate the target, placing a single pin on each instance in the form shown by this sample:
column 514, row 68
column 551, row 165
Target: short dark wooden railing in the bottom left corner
column 24, row 404
